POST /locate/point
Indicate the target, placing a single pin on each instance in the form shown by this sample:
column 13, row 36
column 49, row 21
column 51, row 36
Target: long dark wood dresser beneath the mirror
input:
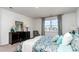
column 15, row 37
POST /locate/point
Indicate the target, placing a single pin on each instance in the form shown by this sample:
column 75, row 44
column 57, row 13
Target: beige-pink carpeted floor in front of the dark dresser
column 8, row 48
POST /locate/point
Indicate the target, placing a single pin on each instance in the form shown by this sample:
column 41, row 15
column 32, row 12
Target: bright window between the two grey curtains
column 51, row 24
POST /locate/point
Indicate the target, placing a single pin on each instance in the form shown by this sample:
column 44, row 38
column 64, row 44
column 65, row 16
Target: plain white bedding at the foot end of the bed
column 27, row 45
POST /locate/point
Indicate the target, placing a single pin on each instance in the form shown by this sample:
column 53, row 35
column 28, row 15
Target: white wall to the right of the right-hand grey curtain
column 69, row 22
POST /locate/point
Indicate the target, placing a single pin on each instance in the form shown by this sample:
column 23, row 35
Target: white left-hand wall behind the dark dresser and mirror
column 8, row 19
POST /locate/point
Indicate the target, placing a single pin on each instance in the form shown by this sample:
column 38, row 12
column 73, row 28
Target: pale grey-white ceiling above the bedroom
column 42, row 11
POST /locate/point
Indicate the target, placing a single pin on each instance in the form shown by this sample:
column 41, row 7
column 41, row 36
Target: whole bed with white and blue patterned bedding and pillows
column 66, row 43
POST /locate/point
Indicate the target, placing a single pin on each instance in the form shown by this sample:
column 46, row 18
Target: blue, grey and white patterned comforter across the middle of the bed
column 46, row 44
